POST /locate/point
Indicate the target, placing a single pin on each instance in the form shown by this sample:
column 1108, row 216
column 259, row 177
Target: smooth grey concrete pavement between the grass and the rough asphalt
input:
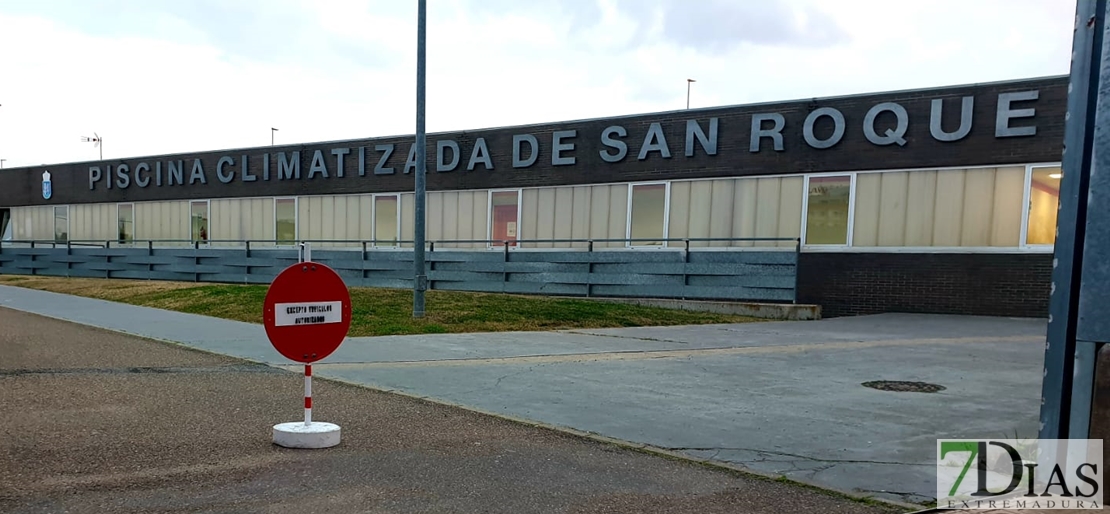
column 784, row 399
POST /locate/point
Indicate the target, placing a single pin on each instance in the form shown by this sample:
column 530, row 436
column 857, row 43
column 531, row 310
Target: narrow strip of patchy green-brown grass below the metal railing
column 384, row 311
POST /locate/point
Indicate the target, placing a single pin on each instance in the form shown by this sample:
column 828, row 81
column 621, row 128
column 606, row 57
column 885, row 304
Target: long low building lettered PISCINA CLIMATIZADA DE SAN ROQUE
column 940, row 200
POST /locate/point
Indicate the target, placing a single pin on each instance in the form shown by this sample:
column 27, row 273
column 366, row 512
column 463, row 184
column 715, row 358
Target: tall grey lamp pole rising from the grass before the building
column 420, row 283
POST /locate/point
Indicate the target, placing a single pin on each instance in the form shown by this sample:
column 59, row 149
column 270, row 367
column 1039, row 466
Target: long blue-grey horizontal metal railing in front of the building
column 761, row 274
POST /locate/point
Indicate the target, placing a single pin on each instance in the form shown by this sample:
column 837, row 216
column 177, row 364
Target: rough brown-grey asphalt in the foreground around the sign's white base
column 103, row 422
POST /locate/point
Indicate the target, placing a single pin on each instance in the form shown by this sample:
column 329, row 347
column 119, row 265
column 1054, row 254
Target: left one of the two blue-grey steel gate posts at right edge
column 1068, row 259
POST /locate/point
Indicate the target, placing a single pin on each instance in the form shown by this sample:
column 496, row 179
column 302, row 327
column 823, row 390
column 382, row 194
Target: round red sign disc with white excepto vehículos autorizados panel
column 307, row 313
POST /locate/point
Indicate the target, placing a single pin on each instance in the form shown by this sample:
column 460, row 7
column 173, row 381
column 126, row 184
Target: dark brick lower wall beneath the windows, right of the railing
column 945, row 284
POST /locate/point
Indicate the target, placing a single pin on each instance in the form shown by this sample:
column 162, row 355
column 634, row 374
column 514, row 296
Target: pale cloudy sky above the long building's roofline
column 154, row 77
